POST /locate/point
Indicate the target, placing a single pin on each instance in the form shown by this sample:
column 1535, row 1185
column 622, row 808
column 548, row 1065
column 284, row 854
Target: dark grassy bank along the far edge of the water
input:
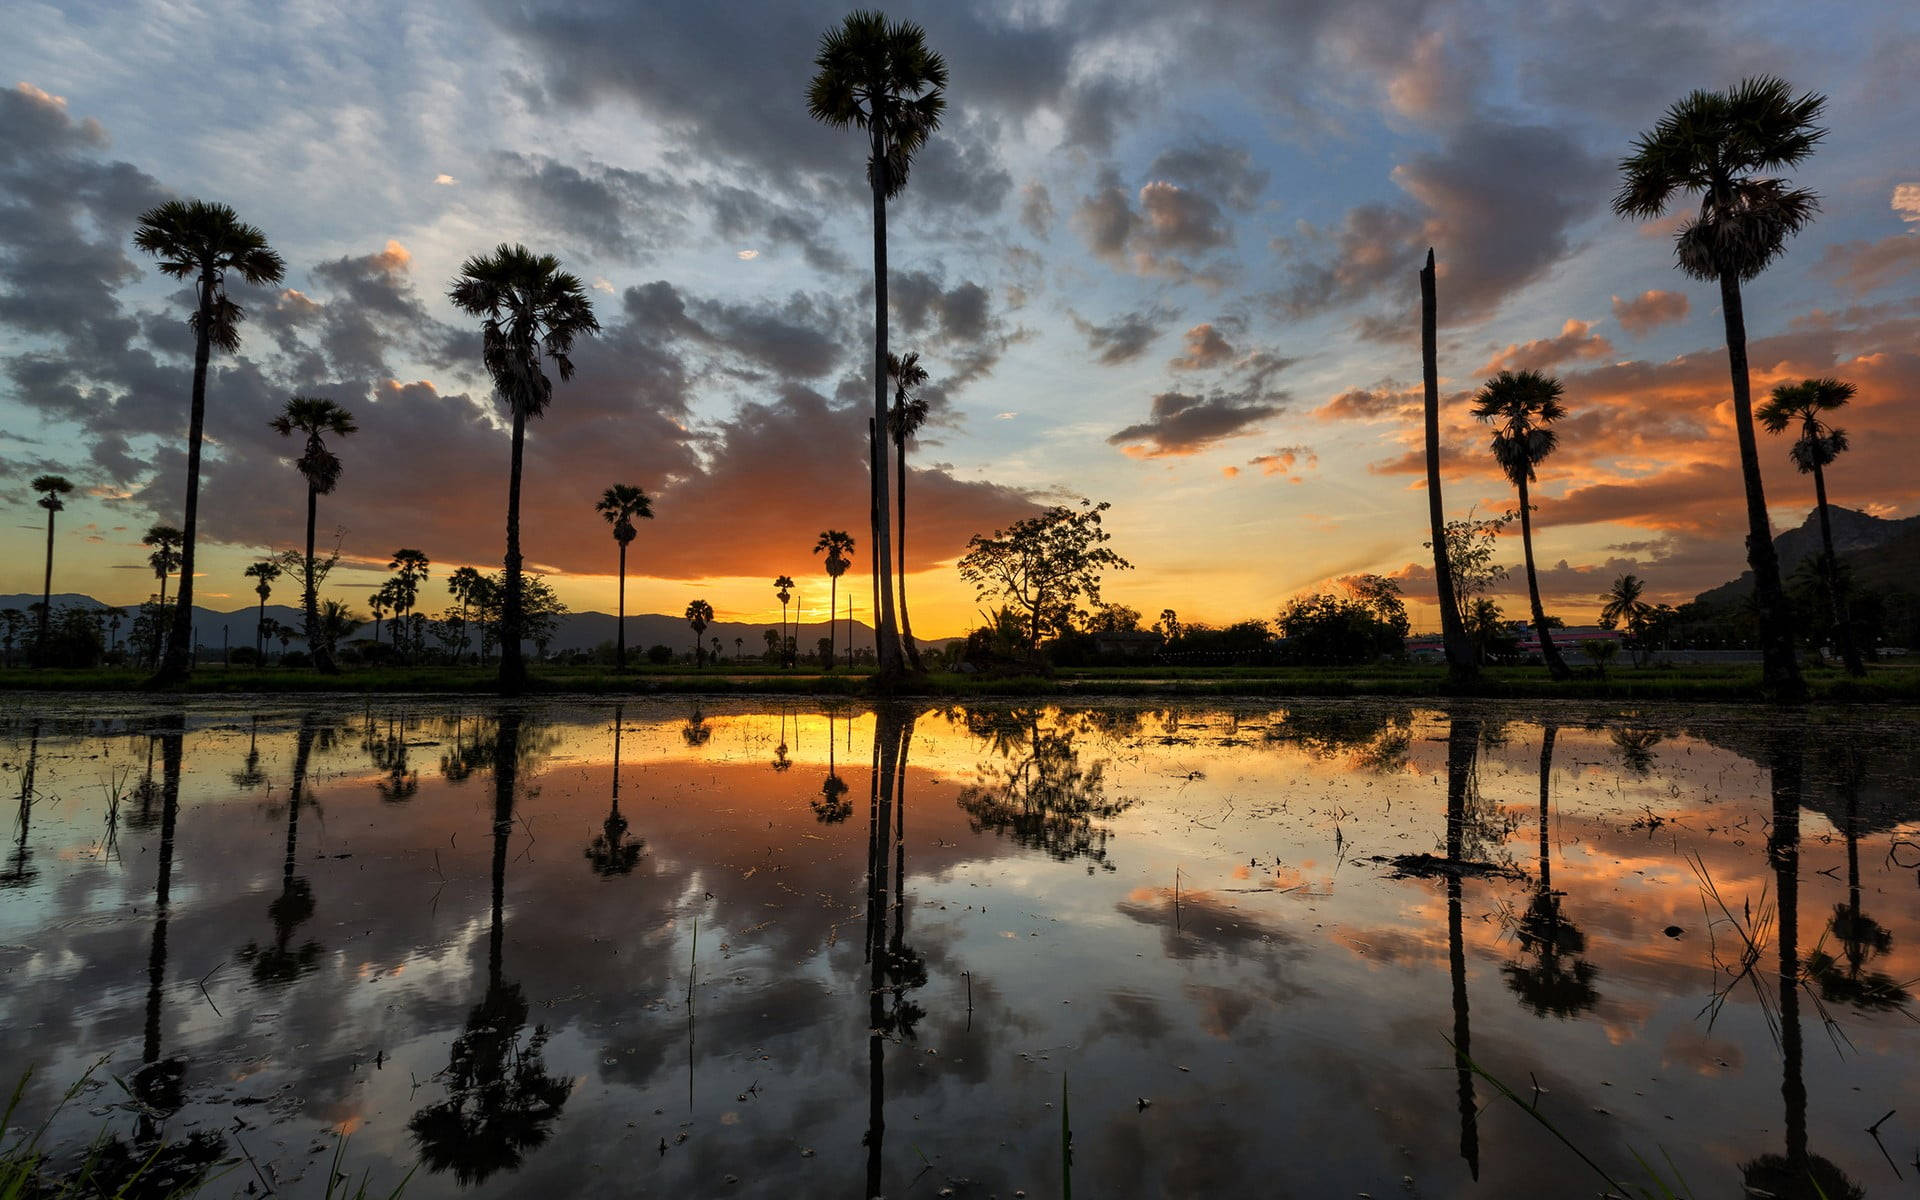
column 1886, row 684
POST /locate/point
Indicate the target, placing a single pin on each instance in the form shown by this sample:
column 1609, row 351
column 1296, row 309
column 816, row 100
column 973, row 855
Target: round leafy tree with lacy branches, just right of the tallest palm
column 1044, row 564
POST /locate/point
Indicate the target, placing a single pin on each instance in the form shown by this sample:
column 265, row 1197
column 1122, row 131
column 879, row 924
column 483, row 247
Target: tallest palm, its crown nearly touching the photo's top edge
column 880, row 78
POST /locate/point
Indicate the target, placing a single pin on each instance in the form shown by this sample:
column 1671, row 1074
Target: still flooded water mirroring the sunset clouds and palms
column 771, row 951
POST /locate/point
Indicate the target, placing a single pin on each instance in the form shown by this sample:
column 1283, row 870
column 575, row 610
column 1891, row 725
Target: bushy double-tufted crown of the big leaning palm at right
column 1717, row 145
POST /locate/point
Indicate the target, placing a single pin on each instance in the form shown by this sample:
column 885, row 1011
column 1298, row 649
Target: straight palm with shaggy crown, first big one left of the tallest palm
column 529, row 312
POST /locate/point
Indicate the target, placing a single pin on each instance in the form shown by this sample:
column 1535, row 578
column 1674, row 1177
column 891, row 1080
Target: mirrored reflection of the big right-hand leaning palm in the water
column 1798, row 1174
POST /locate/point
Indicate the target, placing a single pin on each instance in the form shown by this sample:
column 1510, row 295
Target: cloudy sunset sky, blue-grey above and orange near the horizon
column 1159, row 256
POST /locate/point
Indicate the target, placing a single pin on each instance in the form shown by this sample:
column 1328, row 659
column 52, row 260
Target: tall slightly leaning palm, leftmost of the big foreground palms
column 201, row 241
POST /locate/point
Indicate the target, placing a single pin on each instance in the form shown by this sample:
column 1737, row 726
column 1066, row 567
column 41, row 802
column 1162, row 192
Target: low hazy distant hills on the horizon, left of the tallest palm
column 577, row 631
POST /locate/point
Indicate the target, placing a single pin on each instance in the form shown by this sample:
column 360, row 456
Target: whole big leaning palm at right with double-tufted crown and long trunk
column 1717, row 145
